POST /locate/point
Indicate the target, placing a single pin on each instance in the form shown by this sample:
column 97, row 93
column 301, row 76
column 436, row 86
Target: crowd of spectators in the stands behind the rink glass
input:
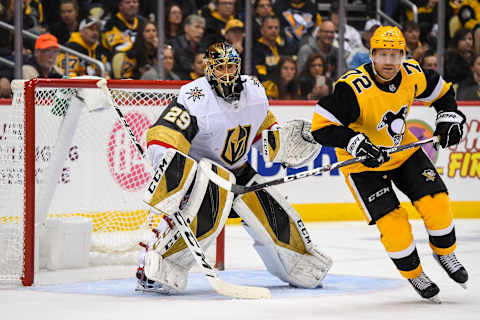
column 295, row 43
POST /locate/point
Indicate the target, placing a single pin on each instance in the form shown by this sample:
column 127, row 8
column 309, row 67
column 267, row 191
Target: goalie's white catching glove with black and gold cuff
column 291, row 145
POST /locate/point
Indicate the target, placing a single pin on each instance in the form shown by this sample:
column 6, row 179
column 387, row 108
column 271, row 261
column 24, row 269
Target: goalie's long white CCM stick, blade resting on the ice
column 220, row 286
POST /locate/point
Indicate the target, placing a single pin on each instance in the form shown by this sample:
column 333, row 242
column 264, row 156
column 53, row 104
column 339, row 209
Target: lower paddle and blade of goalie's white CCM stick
column 220, row 286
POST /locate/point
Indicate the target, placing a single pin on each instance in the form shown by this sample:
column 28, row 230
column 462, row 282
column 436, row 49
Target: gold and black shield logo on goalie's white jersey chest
column 236, row 144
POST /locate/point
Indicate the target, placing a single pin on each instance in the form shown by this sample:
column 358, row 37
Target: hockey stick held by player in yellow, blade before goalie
column 239, row 189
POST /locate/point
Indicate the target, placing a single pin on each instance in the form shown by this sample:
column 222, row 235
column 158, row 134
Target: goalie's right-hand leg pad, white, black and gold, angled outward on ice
column 281, row 238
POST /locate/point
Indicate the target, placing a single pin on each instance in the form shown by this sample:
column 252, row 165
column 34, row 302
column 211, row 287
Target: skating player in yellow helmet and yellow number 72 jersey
column 367, row 113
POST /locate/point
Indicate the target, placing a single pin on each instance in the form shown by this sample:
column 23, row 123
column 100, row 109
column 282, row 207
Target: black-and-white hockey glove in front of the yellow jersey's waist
column 360, row 145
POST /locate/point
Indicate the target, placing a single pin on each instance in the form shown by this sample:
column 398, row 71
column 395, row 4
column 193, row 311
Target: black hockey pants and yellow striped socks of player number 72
column 418, row 179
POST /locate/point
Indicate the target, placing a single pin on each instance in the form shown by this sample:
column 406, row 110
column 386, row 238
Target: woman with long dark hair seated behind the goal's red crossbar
column 140, row 57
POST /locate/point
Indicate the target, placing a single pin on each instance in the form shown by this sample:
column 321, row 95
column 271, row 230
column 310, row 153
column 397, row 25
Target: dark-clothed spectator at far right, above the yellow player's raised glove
column 458, row 58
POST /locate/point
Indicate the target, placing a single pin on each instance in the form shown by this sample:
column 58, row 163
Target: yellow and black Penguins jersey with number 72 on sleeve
column 360, row 104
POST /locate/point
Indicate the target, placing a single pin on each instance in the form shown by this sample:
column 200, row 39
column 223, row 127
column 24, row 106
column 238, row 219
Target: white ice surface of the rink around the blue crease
column 354, row 246
